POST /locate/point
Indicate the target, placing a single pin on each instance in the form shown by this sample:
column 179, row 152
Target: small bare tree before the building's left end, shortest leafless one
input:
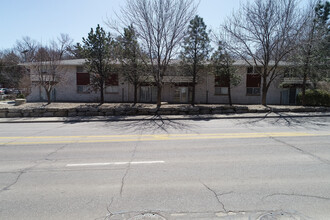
column 47, row 68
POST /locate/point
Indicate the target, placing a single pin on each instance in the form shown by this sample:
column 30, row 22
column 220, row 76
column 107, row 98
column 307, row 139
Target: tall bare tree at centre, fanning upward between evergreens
column 160, row 27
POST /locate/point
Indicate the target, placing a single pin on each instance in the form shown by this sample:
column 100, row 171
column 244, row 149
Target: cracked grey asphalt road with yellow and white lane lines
column 186, row 169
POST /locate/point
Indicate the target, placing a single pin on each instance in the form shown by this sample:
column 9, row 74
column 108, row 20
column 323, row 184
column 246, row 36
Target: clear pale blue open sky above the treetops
column 44, row 20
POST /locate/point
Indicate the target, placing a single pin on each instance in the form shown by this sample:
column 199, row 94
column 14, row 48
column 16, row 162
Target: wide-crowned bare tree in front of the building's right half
column 263, row 34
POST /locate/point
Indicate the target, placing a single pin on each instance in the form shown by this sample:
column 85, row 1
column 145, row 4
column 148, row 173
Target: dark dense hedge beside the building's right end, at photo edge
column 315, row 97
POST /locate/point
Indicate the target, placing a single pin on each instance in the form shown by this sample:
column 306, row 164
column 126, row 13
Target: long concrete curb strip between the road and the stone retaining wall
column 159, row 117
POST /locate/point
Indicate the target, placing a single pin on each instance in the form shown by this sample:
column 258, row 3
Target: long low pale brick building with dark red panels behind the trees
column 210, row 89
